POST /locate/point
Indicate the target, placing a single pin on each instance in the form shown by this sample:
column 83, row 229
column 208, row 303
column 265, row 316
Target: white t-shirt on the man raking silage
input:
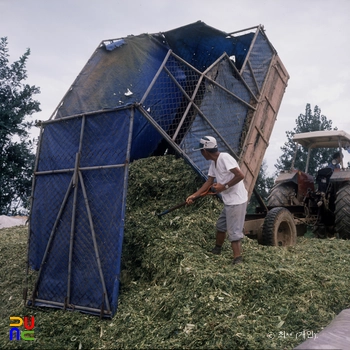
column 236, row 194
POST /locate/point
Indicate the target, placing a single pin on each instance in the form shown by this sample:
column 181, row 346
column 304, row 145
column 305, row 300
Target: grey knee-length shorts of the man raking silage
column 231, row 220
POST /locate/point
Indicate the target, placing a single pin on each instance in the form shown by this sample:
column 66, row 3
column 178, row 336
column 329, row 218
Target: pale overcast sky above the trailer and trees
column 310, row 36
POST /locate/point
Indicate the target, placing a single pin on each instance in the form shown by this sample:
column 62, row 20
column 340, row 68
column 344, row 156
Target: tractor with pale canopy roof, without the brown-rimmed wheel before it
column 322, row 202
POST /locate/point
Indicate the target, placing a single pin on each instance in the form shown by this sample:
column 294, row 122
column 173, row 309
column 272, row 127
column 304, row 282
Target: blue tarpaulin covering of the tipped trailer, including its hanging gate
column 136, row 96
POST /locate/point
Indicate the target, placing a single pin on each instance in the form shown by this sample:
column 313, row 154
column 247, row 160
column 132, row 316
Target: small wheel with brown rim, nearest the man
column 279, row 228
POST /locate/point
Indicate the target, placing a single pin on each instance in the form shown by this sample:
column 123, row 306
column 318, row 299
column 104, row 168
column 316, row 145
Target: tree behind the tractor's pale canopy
column 319, row 157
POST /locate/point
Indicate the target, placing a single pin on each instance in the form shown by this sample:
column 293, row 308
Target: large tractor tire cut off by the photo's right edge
column 342, row 212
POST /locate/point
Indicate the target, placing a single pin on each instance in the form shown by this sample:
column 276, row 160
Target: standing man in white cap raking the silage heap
column 228, row 175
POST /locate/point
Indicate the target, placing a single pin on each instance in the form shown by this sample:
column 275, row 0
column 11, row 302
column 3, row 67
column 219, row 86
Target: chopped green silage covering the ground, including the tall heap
column 175, row 294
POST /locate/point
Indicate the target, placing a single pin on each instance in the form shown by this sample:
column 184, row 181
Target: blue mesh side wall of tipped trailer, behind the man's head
column 215, row 102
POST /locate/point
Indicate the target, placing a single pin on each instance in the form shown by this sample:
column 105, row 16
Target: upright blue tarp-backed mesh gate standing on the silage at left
column 76, row 229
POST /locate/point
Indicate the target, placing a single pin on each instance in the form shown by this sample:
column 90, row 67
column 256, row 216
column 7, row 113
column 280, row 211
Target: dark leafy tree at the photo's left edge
column 16, row 149
